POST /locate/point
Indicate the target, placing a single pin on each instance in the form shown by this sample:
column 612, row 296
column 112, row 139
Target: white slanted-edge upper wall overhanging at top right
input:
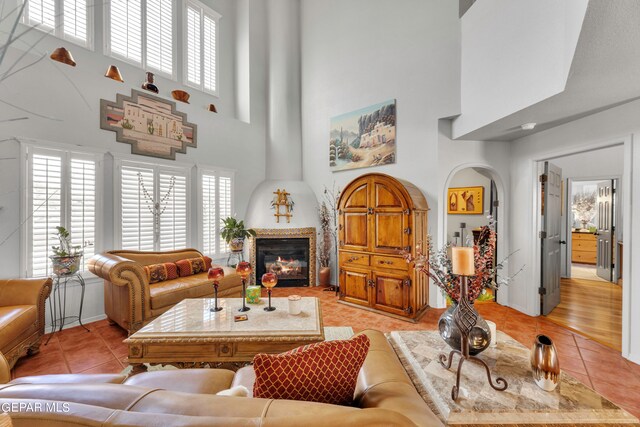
column 514, row 54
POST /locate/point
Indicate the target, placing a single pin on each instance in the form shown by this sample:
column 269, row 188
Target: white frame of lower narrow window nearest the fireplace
column 217, row 172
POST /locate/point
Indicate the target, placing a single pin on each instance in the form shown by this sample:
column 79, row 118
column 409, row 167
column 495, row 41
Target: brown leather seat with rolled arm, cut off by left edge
column 22, row 306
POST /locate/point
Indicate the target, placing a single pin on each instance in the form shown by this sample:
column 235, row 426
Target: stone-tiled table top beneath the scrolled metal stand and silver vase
column 522, row 403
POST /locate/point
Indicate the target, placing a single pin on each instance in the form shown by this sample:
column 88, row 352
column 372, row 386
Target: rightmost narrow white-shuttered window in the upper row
column 200, row 34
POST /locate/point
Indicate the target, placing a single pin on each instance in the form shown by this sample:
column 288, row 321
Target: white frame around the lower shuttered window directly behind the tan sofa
column 158, row 167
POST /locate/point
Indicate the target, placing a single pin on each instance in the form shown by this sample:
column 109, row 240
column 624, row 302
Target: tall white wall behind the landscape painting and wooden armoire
column 360, row 52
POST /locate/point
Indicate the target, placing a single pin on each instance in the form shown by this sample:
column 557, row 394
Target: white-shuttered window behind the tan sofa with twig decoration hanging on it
column 153, row 207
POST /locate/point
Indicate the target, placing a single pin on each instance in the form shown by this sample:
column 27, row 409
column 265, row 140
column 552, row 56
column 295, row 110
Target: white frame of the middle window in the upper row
column 143, row 41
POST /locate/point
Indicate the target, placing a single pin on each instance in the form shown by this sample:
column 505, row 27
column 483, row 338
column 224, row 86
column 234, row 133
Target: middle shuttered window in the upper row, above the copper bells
column 141, row 32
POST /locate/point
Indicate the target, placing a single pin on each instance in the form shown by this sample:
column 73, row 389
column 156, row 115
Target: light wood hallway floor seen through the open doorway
column 591, row 308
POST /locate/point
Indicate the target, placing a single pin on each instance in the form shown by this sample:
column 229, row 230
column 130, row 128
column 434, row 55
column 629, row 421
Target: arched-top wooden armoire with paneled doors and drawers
column 380, row 217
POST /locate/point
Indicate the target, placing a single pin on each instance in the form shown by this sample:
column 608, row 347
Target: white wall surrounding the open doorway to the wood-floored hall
column 617, row 125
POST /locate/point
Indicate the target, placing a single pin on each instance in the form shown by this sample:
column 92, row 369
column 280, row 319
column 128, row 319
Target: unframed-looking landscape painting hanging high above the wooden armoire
column 364, row 137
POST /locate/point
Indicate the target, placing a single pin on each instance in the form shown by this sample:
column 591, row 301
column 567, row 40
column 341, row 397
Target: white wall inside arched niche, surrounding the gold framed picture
column 469, row 177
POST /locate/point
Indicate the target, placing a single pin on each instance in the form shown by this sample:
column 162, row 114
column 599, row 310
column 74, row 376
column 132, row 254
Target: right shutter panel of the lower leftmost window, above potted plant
column 82, row 223
